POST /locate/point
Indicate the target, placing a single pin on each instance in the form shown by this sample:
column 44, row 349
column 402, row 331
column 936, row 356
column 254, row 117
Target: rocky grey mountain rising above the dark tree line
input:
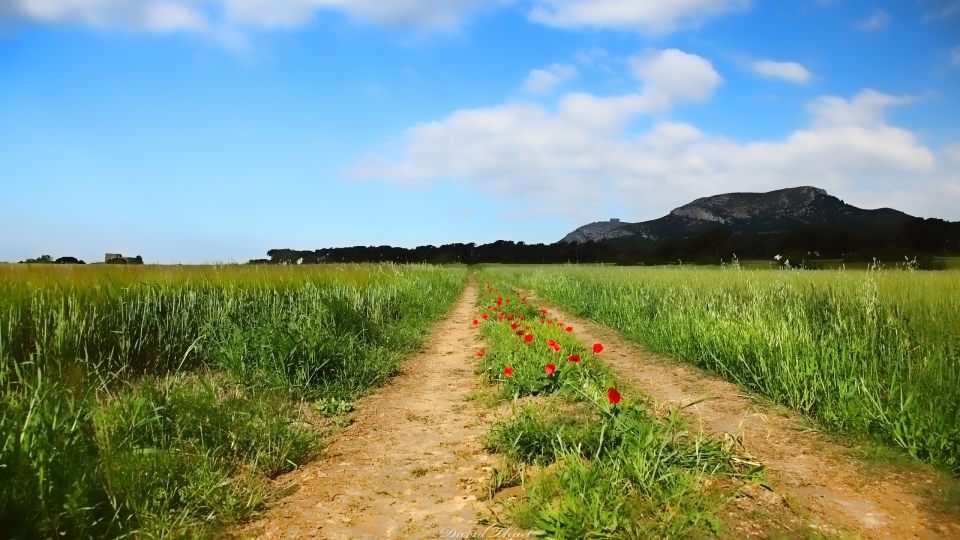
column 746, row 213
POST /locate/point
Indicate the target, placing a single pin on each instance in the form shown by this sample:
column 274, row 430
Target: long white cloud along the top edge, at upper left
column 200, row 15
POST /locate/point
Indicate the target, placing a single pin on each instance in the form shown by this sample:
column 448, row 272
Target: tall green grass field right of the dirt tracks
column 874, row 352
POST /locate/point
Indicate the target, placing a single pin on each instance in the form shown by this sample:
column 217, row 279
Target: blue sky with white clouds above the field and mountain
column 213, row 130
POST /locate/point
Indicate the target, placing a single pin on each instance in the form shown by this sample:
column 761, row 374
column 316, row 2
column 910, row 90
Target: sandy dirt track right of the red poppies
column 818, row 479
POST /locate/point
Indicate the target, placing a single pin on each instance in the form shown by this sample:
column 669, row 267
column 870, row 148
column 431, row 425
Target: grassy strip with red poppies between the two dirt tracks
column 591, row 460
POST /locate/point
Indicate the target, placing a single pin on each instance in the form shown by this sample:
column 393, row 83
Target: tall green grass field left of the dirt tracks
column 153, row 402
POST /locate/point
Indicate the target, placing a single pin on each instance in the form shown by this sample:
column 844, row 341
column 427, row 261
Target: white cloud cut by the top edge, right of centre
column 653, row 16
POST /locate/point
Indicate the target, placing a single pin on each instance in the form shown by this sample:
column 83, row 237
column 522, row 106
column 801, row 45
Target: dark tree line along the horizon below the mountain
column 924, row 238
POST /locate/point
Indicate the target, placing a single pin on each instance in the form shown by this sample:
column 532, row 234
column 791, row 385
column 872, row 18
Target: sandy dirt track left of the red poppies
column 411, row 465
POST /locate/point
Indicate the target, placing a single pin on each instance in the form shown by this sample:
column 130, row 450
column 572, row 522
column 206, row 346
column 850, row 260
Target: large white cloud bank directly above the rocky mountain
column 578, row 158
